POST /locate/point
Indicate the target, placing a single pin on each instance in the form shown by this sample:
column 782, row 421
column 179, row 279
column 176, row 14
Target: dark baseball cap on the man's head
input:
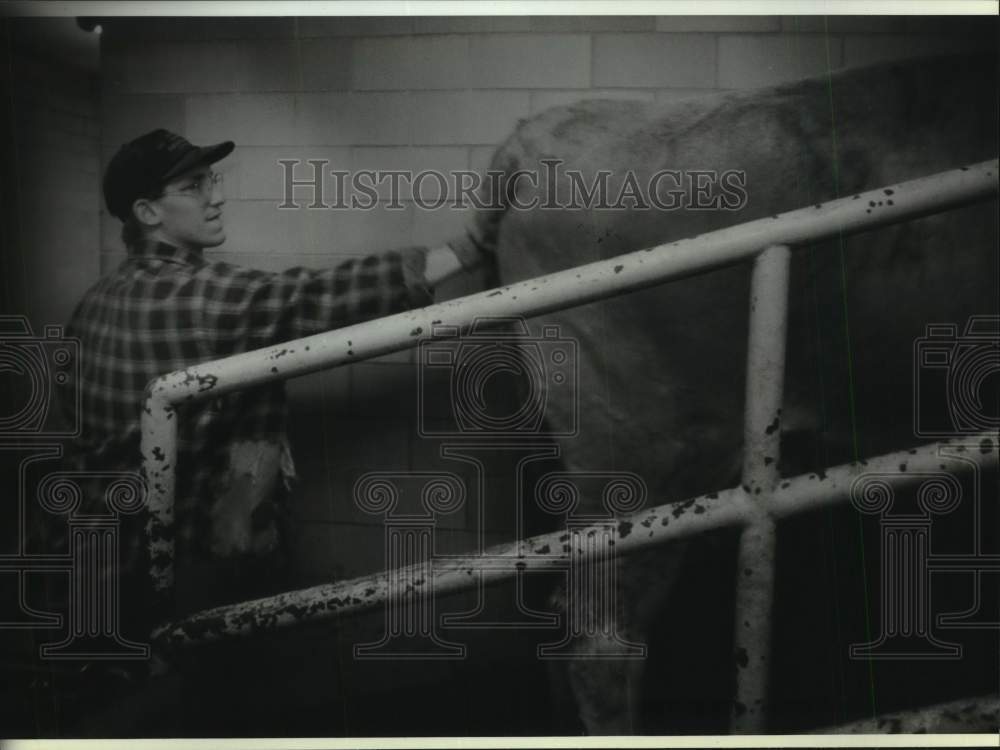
column 143, row 166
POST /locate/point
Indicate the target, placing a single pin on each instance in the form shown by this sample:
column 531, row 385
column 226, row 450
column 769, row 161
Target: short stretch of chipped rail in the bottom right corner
column 980, row 714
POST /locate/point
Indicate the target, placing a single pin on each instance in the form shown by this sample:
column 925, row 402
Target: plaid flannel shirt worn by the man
column 164, row 309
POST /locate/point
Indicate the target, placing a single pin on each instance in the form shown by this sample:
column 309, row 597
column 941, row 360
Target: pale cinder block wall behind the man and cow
column 416, row 93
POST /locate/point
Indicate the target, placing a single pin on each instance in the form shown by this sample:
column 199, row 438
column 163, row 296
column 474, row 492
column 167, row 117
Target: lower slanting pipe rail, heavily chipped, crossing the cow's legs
column 661, row 524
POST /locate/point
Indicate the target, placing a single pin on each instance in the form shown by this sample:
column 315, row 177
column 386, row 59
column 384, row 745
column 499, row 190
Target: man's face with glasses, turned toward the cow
column 190, row 210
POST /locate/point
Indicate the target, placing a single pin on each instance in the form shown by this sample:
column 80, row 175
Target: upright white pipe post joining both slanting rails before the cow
column 761, row 444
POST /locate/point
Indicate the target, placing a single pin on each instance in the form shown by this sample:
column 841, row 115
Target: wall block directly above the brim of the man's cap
column 247, row 119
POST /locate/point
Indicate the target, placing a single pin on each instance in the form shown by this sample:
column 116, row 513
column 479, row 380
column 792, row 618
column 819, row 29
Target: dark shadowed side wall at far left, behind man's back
column 51, row 234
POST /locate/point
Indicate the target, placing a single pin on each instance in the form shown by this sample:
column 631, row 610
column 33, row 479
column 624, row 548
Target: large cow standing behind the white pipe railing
column 661, row 371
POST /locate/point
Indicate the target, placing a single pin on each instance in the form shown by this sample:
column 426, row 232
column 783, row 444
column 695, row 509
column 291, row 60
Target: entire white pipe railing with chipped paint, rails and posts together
column 762, row 498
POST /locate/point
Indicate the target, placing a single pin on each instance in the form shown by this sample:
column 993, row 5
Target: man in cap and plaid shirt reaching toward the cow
column 167, row 307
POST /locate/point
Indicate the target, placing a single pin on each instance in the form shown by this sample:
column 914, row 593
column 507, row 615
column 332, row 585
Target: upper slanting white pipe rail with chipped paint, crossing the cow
column 582, row 284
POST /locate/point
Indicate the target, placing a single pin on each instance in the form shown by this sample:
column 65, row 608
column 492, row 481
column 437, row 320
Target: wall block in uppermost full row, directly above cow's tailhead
column 530, row 61
